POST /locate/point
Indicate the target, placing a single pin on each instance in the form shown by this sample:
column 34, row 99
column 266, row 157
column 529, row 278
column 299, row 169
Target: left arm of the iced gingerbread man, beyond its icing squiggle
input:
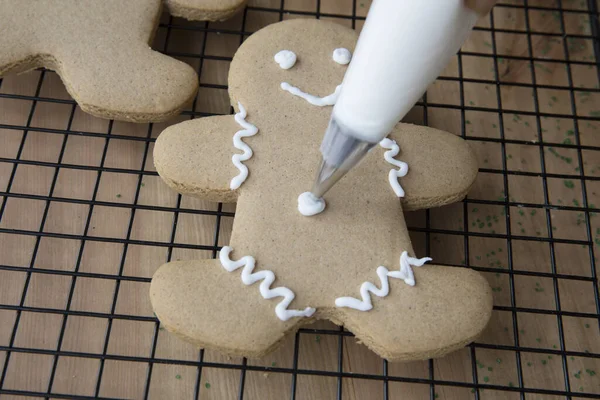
column 195, row 158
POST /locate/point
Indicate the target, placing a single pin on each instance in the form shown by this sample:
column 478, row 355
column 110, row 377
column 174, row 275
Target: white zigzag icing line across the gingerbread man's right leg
column 405, row 273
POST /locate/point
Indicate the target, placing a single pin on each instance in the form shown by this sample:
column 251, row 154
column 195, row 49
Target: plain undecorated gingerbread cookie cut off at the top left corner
column 101, row 51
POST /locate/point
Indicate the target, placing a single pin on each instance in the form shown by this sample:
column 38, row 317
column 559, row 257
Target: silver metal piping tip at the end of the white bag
column 340, row 152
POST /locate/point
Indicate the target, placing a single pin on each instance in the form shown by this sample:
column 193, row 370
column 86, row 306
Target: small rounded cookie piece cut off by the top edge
column 205, row 10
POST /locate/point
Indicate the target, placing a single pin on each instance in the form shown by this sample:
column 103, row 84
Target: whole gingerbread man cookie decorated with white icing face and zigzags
column 352, row 263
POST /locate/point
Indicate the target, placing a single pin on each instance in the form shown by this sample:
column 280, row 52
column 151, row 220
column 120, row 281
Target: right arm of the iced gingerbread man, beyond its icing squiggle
column 441, row 166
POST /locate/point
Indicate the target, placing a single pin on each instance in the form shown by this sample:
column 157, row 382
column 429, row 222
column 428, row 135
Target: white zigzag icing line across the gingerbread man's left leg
column 267, row 277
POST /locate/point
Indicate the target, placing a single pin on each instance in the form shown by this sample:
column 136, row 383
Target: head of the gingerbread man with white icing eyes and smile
column 299, row 61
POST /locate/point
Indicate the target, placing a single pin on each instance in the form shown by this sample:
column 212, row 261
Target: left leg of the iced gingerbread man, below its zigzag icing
column 210, row 307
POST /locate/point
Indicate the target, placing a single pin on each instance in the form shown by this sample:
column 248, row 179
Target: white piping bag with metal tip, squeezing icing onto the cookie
column 403, row 47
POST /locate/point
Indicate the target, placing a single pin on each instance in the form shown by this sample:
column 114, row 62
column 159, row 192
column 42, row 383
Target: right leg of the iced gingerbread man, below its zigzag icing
column 447, row 309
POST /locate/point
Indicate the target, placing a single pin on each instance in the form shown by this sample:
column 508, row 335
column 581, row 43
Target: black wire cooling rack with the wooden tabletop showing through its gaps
column 84, row 221
